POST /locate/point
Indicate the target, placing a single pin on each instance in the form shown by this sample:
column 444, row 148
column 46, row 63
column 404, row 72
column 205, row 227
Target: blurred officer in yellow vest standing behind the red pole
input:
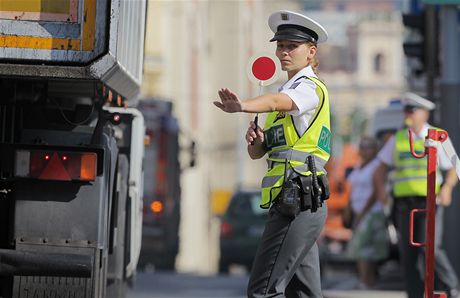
column 409, row 192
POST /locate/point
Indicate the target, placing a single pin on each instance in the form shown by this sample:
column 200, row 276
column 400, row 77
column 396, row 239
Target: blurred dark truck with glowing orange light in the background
column 162, row 192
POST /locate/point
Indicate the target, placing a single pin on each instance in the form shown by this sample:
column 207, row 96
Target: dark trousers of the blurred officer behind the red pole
column 412, row 258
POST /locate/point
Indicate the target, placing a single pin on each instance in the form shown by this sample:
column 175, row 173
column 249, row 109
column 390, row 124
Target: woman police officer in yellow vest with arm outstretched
column 296, row 137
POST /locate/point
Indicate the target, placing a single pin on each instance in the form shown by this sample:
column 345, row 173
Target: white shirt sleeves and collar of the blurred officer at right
column 386, row 154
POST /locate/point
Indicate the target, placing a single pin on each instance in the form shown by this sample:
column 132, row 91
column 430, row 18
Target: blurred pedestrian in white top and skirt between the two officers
column 369, row 243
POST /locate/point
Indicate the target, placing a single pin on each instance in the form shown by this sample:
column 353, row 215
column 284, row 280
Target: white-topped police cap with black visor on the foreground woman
column 288, row 25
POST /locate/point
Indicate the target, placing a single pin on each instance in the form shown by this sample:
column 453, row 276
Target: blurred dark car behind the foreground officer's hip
column 241, row 229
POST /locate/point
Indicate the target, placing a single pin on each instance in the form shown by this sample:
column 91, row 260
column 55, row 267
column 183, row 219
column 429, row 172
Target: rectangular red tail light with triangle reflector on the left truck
column 56, row 165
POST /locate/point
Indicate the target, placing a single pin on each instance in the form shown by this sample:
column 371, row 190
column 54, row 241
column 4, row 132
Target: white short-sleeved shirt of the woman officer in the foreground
column 302, row 91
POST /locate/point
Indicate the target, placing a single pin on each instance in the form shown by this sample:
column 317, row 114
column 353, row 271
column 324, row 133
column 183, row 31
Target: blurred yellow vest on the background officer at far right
column 410, row 177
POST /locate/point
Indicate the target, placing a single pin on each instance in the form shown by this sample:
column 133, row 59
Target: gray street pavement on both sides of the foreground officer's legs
column 337, row 283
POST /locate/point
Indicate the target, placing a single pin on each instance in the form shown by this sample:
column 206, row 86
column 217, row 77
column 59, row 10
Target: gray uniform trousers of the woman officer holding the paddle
column 287, row 261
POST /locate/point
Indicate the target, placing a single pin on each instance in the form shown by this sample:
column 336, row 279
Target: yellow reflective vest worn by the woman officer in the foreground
column 283, row 142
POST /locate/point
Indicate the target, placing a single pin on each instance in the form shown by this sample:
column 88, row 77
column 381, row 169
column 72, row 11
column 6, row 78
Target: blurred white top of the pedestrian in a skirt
column 361, row 187
